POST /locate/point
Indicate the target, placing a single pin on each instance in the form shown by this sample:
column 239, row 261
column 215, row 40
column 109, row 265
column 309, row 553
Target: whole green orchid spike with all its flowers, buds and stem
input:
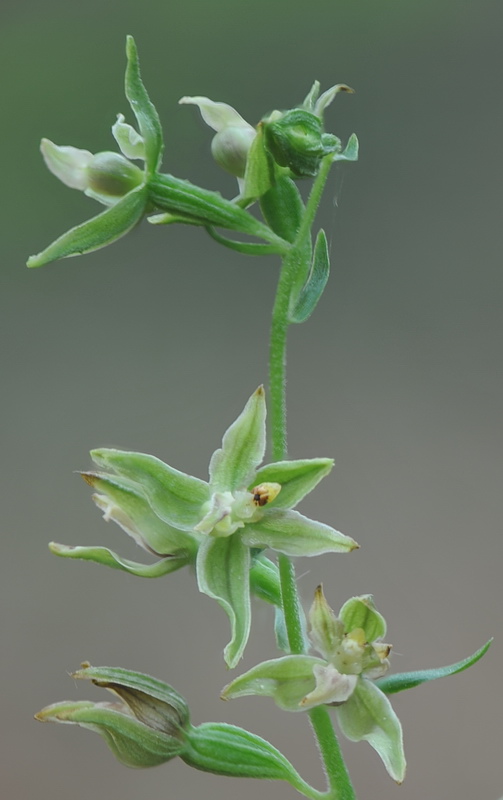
column 223, row 527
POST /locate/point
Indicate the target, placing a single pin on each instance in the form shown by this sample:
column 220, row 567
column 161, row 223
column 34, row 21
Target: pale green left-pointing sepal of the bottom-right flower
column 287, row 680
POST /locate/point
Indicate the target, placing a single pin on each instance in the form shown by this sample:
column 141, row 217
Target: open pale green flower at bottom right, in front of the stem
column 352, row 656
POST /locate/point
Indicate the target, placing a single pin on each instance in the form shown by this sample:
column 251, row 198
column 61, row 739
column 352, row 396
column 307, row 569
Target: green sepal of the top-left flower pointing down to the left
column 97, row 232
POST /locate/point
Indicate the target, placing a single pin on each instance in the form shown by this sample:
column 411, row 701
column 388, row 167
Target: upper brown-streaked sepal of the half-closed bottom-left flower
column 153, row 702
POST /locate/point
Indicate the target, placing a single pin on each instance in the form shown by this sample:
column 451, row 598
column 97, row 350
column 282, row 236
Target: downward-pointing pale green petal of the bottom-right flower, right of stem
column 368, row 715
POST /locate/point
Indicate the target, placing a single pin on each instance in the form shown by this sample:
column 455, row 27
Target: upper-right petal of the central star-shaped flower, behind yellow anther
column 297, row 478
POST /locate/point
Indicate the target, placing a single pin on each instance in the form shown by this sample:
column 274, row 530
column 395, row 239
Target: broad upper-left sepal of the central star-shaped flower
column 175, row 497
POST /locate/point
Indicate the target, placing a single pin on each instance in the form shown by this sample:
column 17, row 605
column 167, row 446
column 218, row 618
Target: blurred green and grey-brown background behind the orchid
column 155, row 343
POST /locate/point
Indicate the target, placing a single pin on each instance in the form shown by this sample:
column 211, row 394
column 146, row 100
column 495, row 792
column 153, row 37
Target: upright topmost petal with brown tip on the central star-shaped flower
column 243, row 445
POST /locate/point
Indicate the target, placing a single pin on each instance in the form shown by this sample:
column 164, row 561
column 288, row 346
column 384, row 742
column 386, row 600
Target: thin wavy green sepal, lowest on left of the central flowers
column 102, row 555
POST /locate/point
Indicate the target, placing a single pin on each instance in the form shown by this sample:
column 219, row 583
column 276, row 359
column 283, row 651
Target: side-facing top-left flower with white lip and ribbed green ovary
column 130, row 192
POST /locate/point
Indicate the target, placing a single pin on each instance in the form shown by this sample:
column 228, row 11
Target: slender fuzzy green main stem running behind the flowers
column 340, row 787
